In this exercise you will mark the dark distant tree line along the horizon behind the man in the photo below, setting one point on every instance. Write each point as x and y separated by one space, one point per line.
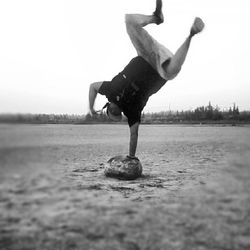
203 114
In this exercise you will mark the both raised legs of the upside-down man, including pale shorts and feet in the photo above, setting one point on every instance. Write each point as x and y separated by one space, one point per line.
163 60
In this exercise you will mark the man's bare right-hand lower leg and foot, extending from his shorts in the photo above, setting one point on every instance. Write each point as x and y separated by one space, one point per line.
173 66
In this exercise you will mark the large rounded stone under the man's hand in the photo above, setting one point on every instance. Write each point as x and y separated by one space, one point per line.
122 167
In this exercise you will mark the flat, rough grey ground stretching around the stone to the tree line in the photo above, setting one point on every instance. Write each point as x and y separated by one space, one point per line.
194 192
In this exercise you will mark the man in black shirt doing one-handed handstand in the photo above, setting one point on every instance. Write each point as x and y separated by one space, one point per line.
129 91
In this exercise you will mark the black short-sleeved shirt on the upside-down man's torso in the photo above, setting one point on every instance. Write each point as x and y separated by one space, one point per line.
132 87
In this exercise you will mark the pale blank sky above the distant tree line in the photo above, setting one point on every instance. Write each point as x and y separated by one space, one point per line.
52 50
